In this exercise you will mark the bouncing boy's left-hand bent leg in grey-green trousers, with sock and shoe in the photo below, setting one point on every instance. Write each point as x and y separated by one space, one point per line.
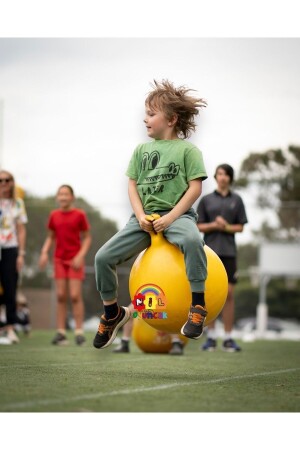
125 244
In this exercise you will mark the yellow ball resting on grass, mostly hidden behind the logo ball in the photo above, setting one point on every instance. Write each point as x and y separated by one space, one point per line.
150 340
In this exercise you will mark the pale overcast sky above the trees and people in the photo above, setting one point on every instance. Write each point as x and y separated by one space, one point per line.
73 108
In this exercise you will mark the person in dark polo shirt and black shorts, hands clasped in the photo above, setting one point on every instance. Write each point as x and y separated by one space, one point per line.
221 214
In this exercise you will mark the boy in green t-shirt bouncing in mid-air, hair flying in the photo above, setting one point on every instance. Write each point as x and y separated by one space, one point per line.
165 177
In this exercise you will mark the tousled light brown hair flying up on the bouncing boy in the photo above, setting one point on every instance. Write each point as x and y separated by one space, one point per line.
171 101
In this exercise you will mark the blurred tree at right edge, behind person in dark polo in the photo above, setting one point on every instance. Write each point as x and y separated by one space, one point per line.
274 177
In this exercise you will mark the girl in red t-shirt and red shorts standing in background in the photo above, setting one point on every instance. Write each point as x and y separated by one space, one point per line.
68 229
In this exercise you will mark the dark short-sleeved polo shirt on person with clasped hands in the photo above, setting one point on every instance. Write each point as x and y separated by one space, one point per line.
232 209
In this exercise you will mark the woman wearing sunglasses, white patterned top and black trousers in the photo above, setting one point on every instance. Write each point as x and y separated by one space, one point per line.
13 218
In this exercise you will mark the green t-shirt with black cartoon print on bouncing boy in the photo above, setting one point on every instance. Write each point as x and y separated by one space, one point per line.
162 170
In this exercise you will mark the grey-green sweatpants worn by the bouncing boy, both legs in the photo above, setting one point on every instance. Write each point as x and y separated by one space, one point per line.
132 240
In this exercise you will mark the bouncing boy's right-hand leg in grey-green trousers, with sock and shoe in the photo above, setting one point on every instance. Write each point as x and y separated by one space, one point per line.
185 235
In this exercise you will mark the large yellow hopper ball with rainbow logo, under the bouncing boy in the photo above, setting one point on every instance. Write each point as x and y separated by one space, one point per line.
158 284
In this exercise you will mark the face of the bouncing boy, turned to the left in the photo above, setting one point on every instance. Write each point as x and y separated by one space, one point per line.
158 126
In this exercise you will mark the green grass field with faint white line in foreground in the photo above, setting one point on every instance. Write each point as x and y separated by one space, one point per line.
39 377
